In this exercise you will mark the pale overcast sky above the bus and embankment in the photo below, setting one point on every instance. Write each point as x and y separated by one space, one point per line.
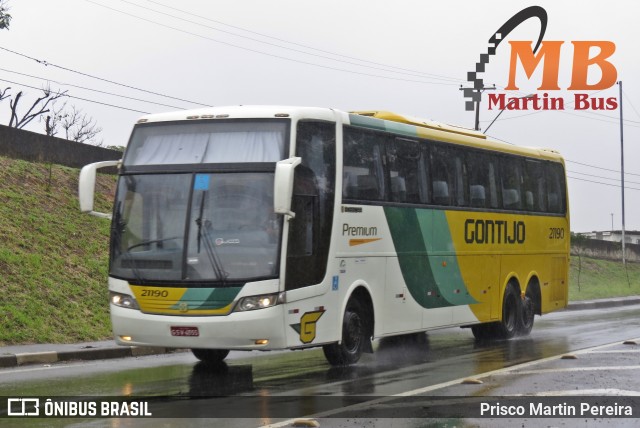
405 56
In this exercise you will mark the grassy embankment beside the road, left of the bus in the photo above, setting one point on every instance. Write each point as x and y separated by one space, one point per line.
53 259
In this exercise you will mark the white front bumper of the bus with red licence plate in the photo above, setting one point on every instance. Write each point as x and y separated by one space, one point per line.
261 329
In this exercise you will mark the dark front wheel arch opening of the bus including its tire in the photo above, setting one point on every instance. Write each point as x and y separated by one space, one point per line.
357 330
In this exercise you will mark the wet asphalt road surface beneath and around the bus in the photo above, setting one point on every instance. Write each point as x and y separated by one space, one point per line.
423 366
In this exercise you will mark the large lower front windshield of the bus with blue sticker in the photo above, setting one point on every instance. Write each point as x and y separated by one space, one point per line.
199 227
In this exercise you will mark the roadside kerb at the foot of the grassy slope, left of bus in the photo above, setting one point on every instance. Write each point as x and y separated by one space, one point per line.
83 354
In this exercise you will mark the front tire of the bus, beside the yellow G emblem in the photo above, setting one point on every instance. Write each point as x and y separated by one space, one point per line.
353 342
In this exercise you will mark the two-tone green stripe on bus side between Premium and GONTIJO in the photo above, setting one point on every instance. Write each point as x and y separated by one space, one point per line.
416 233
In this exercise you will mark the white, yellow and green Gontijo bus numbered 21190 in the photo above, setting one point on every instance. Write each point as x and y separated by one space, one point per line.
269 227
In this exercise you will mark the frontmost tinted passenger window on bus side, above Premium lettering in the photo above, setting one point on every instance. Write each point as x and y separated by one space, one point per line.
363 175
